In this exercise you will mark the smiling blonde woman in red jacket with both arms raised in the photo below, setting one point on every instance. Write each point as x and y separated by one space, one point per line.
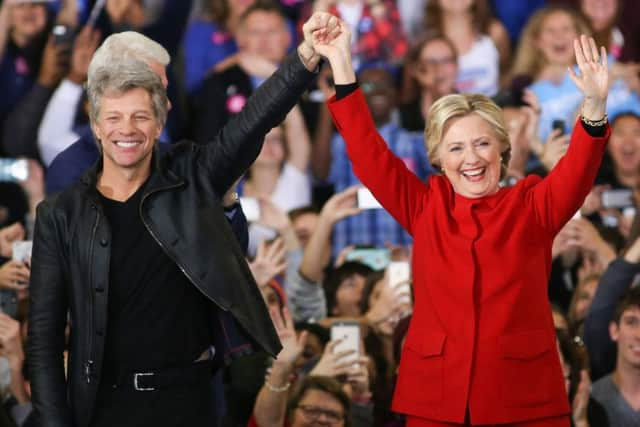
480 348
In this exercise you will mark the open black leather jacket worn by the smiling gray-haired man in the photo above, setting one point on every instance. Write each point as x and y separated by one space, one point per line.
181 209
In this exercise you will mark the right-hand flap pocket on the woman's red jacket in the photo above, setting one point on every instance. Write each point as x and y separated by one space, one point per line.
526 368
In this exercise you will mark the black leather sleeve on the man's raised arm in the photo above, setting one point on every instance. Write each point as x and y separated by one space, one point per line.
240 141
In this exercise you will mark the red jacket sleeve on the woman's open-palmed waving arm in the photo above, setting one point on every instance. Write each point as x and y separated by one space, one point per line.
556 198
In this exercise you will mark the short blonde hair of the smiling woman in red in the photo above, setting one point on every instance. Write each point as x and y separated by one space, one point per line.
460 105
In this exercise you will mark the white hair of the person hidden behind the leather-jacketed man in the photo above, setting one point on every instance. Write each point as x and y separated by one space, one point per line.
127 45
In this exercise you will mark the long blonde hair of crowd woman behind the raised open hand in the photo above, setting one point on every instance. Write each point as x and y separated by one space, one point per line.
529 59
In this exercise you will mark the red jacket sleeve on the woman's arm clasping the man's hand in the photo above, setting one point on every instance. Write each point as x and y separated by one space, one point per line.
397 189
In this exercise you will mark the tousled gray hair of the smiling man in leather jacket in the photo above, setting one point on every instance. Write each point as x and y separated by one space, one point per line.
121 77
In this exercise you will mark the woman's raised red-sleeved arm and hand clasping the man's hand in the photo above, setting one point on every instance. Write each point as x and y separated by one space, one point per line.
393 185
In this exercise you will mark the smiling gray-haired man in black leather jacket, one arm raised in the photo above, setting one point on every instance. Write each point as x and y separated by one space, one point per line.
142 257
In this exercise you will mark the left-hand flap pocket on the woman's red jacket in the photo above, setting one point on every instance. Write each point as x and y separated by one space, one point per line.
420 376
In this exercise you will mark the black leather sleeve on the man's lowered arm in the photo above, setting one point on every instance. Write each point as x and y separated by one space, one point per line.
47 321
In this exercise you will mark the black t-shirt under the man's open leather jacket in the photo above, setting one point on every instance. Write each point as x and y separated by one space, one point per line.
156 317
